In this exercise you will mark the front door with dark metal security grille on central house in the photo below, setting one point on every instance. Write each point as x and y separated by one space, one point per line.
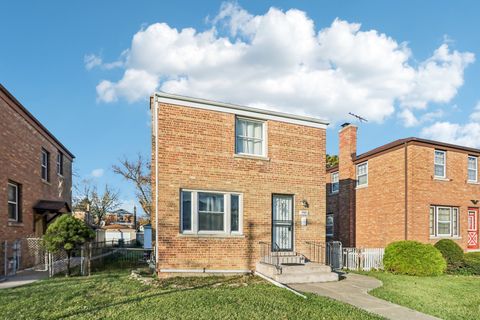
282 222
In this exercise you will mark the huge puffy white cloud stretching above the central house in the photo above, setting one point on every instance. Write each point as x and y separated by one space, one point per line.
278 60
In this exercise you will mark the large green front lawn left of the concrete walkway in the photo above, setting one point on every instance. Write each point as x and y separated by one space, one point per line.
113 295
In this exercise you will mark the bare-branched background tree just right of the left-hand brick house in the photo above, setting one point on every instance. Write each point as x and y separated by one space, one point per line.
98 204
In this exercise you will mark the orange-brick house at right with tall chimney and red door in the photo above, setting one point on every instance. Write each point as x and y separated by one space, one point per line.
411 188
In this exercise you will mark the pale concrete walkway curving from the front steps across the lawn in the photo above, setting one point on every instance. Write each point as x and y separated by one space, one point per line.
354 290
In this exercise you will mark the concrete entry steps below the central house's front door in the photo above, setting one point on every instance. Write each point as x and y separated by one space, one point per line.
297 273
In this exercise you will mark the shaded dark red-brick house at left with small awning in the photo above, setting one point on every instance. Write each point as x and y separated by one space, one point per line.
35 172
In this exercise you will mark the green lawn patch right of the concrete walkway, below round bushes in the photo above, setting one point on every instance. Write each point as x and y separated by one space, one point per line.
447 296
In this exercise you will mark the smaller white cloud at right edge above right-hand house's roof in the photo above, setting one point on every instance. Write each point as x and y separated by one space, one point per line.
467 134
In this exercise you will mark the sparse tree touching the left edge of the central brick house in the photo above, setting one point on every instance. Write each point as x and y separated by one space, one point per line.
137 171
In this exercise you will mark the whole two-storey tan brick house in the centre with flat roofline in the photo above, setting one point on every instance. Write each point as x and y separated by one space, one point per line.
223 172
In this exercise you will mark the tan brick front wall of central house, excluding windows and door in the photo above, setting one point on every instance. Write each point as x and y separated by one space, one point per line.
196 151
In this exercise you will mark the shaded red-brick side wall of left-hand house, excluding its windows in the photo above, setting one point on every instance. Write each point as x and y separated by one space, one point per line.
21 142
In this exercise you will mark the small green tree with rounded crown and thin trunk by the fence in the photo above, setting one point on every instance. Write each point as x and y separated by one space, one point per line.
67 233
